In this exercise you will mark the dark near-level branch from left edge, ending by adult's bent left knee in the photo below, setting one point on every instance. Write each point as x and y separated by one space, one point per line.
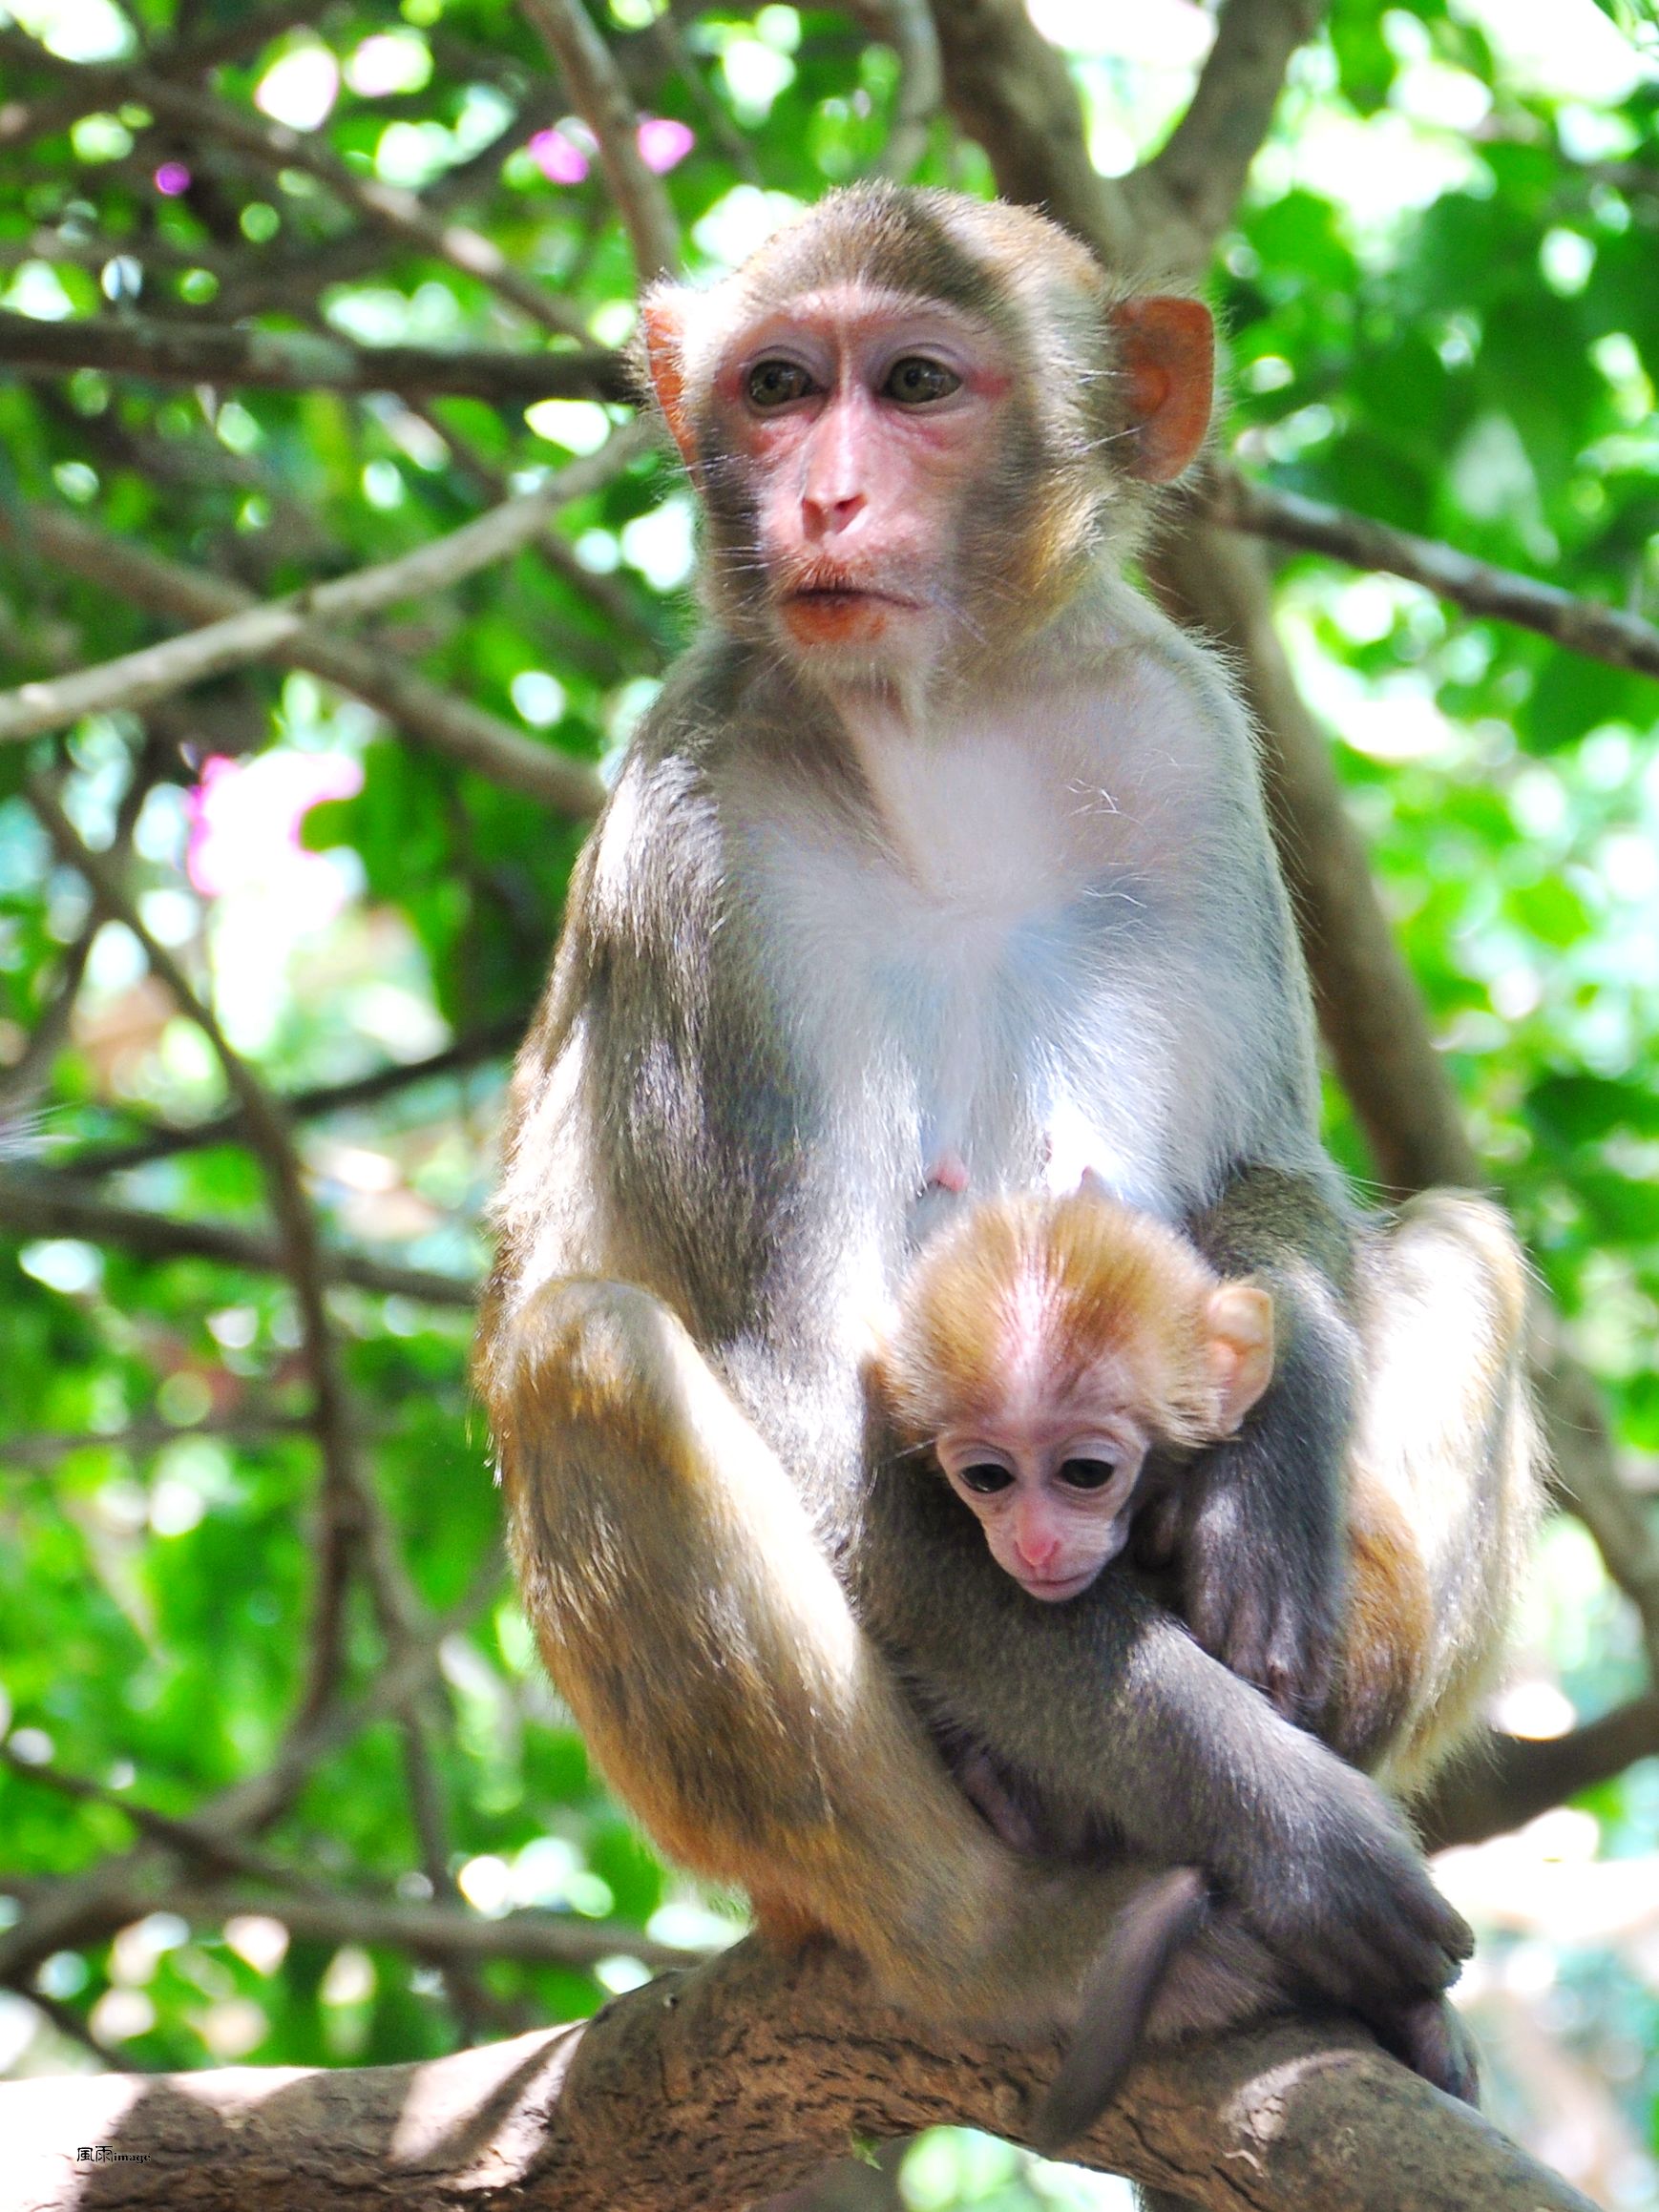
54 1207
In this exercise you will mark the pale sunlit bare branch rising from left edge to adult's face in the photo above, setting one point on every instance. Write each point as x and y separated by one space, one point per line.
273 627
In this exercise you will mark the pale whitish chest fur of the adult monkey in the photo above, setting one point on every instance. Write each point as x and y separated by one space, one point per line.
1021 941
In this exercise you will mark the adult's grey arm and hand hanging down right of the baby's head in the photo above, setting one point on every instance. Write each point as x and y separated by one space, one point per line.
1258 1527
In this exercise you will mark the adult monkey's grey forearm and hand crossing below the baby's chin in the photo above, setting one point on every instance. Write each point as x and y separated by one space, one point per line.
1109 1711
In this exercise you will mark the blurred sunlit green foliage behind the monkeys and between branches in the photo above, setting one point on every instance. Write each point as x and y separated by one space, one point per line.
1443 311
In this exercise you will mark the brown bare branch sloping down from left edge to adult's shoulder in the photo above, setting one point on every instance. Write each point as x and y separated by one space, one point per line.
424 711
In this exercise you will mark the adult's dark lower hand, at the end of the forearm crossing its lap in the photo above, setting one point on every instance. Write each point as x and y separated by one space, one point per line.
1348 1903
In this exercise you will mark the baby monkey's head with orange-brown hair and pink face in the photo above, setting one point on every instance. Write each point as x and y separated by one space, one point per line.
1061 1357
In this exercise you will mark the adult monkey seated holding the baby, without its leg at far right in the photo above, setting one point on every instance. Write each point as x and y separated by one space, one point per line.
941 855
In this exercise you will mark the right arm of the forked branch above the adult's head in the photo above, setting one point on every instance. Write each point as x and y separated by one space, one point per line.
1204 165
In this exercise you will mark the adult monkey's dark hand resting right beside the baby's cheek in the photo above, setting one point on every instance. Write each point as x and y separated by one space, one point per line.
1260 1587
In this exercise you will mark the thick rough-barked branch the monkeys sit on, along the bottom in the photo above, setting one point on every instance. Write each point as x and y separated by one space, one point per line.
731 2083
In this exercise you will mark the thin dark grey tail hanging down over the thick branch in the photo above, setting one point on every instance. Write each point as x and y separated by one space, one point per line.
1158 1921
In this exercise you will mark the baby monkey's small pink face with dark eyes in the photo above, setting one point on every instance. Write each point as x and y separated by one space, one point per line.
1054 1510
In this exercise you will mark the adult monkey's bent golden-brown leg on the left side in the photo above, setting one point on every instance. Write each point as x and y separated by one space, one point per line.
693 1623
